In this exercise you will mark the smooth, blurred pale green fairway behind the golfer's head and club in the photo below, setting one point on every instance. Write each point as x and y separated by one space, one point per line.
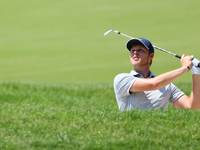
62 41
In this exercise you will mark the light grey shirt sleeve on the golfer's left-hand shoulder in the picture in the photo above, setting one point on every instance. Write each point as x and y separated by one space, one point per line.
122 84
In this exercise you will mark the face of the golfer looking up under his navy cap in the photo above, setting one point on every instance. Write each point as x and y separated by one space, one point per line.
140 56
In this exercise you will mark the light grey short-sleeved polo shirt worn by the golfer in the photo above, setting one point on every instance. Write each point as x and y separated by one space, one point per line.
156 99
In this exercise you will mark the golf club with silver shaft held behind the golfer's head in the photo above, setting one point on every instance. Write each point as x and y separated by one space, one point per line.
177 56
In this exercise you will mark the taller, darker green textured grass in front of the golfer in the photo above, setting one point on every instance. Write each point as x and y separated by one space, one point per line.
86 116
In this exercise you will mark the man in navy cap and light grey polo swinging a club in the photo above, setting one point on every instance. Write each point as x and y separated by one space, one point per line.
142 89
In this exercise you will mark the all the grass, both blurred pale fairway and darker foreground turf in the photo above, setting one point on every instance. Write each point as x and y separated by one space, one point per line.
57 71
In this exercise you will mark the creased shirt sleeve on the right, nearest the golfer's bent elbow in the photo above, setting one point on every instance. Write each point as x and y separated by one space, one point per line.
175 93
